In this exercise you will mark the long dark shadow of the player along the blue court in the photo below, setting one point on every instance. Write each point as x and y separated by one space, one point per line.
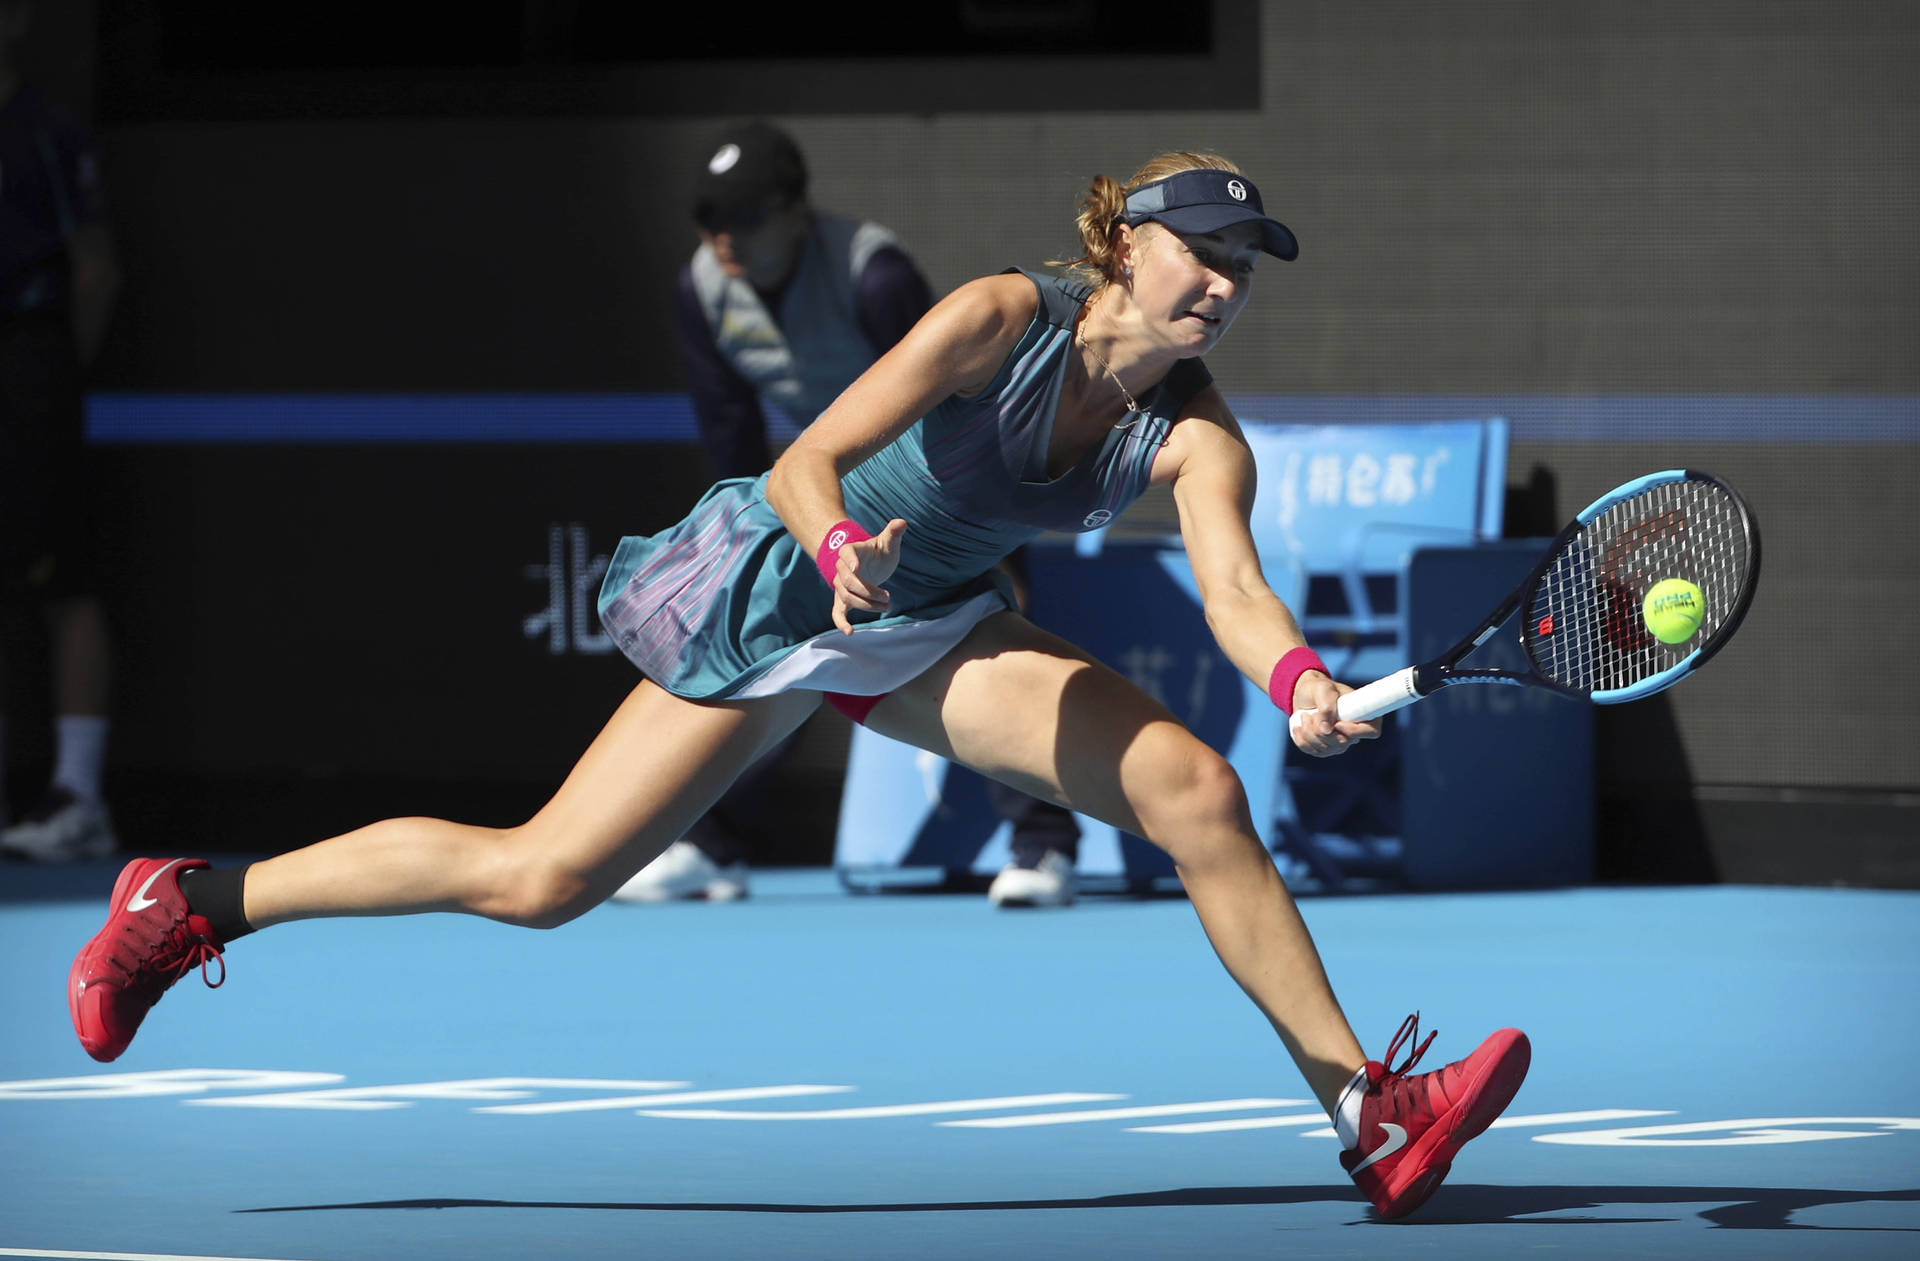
1742 1208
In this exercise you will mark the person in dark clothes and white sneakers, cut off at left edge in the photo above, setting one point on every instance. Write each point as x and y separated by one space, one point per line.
59 283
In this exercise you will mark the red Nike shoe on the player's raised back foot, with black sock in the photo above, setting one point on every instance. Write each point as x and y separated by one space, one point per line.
149 943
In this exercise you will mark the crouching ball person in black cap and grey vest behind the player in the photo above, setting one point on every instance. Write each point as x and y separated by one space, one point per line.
788 304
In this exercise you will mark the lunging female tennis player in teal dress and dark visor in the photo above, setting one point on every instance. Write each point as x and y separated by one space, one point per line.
861 571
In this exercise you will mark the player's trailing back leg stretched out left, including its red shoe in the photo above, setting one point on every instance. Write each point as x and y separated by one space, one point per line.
658 765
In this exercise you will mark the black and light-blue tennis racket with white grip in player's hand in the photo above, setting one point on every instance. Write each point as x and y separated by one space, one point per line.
1581 607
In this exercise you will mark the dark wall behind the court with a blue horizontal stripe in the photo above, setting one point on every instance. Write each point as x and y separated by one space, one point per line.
1650 235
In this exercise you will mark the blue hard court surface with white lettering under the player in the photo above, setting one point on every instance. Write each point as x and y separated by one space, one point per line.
811 1074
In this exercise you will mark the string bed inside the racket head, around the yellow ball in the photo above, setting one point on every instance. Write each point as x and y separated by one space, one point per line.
1587 629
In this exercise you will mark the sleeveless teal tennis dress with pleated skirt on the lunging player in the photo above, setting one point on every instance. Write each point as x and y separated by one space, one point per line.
729 604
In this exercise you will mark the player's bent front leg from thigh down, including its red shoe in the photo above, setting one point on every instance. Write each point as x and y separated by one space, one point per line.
1038 713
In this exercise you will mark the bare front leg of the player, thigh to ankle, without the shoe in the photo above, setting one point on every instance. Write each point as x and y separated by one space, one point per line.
1030 709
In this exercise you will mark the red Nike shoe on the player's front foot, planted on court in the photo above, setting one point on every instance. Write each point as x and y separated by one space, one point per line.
1412 1128
